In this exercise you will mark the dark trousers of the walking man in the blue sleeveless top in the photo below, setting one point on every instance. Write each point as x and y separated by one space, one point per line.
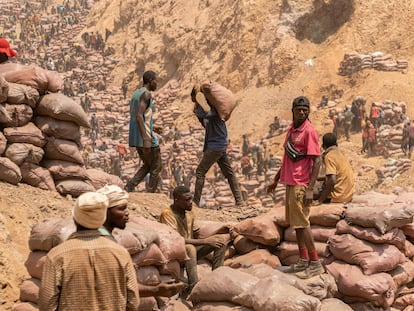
150 164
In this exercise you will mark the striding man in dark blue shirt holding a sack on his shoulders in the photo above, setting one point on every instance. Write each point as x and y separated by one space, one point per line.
215 147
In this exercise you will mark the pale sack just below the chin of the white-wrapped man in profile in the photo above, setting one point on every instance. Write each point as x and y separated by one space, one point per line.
135 238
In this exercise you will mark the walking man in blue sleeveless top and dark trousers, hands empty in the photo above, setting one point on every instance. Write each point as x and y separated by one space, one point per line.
141 134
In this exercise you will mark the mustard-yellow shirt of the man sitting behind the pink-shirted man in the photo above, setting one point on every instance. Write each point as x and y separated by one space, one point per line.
337 164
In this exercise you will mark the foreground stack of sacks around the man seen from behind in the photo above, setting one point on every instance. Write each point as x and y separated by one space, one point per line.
156 250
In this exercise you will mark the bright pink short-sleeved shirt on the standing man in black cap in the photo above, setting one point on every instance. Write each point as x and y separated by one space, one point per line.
305 139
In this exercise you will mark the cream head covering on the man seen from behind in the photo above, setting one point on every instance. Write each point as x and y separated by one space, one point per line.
90 210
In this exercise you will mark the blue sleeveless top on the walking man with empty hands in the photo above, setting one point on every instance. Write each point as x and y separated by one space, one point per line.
135 136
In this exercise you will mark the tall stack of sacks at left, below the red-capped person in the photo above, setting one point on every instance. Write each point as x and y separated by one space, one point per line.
40 137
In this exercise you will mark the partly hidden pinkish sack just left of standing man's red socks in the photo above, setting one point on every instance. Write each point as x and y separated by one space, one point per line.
254 257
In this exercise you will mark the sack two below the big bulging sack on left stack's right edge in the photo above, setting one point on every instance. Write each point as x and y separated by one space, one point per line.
63 149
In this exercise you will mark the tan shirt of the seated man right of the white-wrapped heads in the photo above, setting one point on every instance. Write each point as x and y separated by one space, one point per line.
186 226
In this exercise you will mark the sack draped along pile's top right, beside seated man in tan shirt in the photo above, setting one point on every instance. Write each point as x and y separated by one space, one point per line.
172 243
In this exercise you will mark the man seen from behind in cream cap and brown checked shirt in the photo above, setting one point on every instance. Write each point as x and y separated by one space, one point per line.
89 271
